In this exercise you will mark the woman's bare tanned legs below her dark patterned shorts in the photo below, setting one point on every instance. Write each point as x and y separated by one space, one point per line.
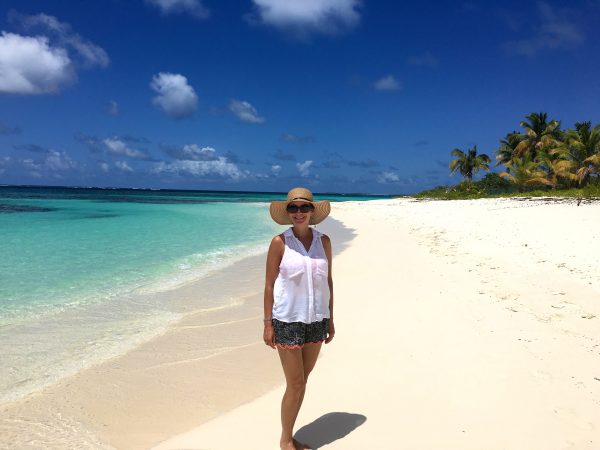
297 365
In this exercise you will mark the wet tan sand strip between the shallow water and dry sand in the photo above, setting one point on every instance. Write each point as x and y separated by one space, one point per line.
121 402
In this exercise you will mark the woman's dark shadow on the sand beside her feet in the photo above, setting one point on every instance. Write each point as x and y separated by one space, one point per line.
329 428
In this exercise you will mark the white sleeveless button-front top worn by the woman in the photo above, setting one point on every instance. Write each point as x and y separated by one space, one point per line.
301 291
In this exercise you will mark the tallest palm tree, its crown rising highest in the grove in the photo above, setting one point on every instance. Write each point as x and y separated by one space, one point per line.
539 135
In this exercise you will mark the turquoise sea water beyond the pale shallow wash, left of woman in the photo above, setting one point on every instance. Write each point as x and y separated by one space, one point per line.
84 249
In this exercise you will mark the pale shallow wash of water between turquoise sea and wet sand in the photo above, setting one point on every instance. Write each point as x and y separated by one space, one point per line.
80 335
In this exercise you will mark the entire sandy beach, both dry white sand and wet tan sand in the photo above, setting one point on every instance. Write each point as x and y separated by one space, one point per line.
460 325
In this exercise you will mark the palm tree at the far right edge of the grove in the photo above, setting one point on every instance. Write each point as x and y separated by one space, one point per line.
583 147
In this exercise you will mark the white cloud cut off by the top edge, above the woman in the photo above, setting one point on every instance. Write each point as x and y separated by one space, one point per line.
306 17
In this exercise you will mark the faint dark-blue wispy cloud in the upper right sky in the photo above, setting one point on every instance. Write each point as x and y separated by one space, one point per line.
554 31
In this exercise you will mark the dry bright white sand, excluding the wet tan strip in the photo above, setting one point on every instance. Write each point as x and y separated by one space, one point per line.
460 325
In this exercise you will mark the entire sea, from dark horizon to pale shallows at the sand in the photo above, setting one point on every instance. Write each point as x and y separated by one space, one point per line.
81 270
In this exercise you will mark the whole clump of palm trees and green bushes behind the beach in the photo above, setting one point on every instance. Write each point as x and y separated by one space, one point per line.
543 160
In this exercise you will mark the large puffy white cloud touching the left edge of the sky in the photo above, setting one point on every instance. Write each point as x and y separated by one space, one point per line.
30 65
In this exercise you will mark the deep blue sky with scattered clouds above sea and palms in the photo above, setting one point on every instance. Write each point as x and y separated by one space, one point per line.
335 95
